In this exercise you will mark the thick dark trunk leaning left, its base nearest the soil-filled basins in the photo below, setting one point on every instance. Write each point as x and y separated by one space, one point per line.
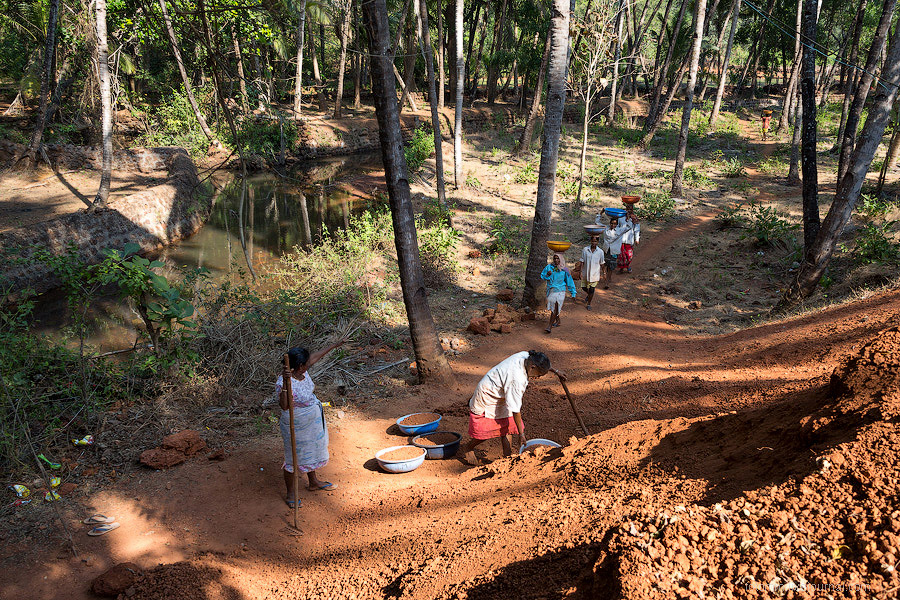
431 363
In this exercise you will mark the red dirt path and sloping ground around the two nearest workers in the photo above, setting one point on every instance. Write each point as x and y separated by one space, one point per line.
683 424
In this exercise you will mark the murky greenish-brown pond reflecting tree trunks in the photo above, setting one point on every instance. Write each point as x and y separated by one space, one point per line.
253 222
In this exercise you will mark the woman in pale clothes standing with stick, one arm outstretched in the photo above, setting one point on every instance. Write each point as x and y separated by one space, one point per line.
311 445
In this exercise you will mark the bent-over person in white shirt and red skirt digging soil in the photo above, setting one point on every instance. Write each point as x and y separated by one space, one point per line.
495 407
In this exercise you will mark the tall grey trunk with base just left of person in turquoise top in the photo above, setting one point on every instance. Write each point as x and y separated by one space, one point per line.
556 99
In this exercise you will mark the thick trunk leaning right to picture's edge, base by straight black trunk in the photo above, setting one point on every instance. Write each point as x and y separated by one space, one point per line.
848 190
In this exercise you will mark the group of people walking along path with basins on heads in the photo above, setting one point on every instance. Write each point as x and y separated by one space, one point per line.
597 263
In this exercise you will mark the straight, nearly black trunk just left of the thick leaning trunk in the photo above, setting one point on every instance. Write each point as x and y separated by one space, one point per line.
811 220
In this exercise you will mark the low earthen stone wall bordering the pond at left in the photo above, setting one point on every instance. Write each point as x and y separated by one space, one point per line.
153 218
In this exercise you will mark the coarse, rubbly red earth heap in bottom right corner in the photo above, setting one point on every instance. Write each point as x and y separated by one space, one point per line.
831 532
